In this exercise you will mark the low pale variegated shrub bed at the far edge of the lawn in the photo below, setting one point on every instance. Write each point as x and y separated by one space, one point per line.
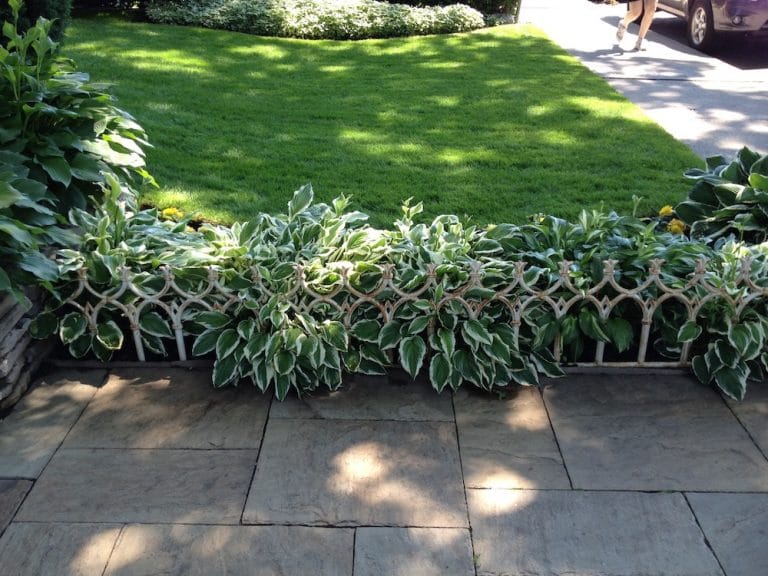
317 19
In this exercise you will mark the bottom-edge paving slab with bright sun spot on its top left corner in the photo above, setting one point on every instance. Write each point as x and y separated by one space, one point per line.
541 533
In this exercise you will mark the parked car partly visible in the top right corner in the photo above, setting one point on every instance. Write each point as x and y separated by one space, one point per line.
708 19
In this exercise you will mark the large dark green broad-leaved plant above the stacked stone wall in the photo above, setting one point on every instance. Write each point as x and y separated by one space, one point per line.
62 141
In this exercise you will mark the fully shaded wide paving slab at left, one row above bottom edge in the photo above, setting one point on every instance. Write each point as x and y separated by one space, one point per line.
182 486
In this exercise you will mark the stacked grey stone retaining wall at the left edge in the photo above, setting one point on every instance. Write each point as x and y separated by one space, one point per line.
20 355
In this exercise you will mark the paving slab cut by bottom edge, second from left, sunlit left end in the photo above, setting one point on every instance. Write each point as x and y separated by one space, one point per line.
148 550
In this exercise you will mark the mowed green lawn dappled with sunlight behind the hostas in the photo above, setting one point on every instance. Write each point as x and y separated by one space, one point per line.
494 125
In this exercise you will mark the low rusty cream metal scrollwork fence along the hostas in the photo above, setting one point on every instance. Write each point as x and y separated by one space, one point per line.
560 296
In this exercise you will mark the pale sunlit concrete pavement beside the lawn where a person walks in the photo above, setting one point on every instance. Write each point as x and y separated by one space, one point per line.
710 105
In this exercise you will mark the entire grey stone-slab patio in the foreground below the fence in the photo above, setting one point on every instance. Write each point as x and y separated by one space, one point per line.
147 471
